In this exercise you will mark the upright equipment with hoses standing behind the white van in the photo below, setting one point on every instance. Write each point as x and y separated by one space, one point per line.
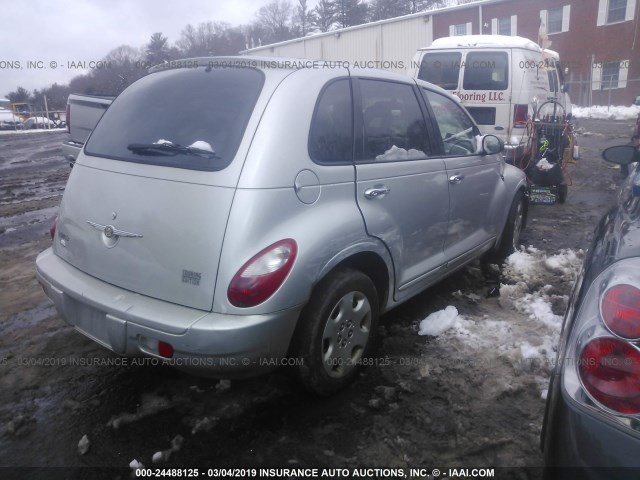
551 146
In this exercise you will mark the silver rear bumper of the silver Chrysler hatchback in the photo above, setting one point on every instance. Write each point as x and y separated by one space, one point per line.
130 324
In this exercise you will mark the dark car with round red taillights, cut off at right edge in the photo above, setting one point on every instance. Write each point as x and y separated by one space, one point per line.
591 427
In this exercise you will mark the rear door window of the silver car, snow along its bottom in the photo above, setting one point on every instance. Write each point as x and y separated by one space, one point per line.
393 125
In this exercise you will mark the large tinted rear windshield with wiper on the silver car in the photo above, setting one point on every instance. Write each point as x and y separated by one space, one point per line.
191 118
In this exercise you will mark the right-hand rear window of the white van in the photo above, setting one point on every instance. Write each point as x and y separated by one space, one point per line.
486 71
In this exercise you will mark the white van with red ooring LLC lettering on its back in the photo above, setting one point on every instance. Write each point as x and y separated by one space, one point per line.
501 80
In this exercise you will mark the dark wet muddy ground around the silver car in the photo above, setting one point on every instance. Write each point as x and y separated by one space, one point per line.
427 403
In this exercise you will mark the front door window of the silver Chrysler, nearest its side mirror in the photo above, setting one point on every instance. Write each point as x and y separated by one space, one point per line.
456 128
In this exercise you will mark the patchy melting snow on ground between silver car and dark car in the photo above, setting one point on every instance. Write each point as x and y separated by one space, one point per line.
524 333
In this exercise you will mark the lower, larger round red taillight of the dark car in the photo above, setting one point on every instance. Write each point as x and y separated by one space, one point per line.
610 371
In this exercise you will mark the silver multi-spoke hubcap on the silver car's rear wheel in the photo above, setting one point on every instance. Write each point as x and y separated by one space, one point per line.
346 334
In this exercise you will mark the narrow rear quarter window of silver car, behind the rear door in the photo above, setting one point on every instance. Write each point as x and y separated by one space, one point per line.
331 135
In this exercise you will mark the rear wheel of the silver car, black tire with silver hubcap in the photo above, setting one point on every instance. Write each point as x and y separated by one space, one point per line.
335 331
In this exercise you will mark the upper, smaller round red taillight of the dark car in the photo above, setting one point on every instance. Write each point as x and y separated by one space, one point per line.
621 311
